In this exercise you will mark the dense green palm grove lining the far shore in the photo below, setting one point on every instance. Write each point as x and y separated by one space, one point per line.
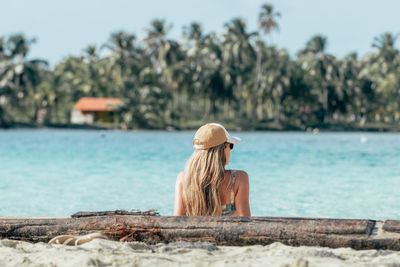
236 77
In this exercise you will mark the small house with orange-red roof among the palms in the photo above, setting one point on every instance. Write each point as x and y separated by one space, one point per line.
89 110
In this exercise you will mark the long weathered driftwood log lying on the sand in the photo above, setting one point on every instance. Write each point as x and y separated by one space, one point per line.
233 231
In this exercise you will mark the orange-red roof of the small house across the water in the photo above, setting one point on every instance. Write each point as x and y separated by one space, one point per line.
96 104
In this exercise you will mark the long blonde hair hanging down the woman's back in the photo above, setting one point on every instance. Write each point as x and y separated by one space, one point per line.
203 176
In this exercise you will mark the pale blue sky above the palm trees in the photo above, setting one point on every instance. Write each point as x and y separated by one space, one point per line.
64 28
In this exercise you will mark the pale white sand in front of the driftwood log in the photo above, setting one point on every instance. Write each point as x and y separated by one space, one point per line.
109 253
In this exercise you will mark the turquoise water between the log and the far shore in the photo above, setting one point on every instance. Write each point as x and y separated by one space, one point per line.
60 172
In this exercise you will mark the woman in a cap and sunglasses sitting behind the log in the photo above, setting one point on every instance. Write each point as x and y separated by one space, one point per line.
205 187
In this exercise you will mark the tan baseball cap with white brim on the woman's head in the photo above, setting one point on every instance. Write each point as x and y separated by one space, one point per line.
211 135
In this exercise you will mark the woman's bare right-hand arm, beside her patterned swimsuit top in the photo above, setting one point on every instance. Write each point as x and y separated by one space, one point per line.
242 196
